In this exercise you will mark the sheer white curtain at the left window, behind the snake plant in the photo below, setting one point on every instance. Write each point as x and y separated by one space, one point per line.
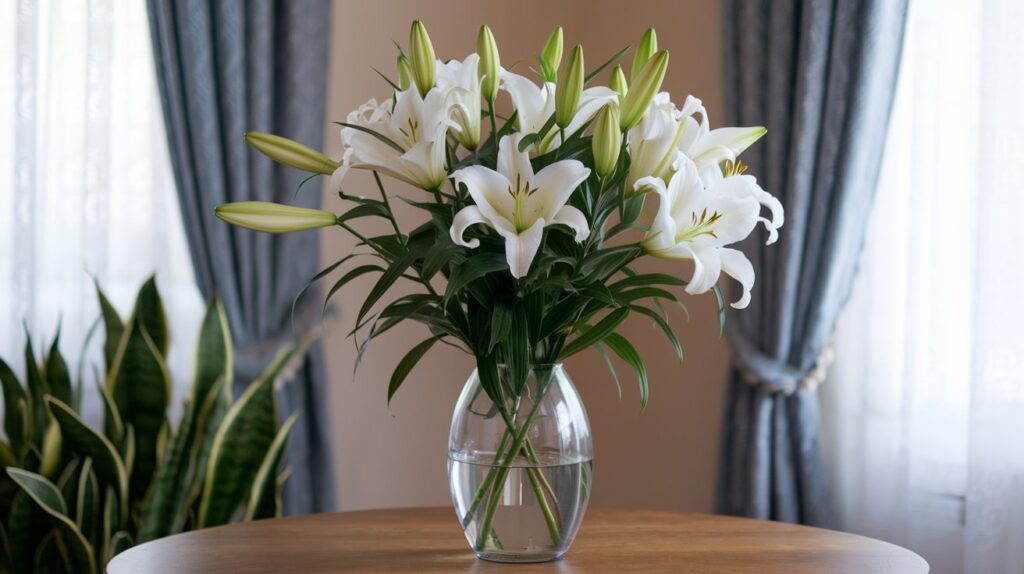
86 182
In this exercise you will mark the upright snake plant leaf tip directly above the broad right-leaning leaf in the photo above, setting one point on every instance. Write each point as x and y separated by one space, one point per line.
215 357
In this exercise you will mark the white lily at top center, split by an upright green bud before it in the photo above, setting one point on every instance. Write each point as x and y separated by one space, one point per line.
535 106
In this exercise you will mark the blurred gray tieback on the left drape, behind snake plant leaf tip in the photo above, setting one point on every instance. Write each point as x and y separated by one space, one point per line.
252 358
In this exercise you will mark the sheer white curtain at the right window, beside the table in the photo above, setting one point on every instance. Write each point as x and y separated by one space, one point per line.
924 411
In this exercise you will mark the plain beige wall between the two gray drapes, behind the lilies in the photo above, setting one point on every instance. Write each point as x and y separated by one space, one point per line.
665 458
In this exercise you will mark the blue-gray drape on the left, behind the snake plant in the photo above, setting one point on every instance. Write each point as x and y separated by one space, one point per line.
228 67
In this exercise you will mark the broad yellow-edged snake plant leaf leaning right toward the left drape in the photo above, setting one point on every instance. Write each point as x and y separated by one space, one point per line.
239 448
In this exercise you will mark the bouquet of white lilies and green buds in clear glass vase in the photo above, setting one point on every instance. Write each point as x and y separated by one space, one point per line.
532 224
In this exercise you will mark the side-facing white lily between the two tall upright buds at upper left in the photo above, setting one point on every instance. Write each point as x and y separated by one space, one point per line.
461 81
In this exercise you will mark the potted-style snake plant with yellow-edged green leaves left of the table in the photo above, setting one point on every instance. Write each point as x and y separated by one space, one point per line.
73 497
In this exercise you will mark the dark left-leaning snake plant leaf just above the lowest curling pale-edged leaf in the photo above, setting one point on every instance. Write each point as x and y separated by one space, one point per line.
88 444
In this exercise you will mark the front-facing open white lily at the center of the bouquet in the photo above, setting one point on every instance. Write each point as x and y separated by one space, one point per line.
519 204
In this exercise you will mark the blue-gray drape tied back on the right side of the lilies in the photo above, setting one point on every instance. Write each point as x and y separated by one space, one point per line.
821 76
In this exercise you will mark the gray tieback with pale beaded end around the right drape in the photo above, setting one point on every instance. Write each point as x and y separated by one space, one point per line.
774 376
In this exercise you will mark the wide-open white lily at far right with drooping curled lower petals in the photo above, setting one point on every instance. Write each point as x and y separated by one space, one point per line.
696 224
